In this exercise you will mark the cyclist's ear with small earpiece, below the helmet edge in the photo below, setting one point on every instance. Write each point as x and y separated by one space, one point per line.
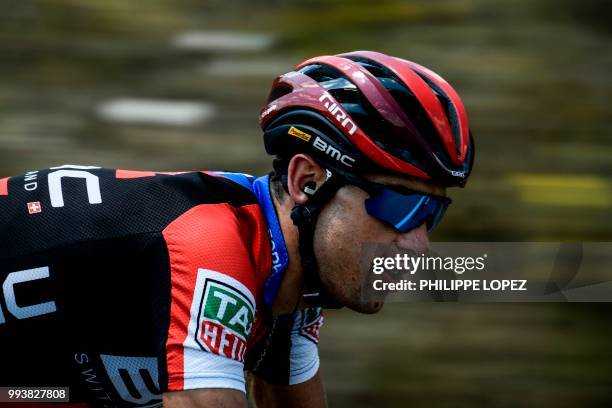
303 176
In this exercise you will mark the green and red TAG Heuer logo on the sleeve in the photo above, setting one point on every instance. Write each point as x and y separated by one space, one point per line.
225 317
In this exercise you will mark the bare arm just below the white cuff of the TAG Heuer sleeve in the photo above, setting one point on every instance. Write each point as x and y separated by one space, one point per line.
222 398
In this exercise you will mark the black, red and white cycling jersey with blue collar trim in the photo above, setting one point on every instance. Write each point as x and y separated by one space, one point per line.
125 284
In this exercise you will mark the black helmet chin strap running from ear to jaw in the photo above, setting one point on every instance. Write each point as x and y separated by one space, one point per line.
305 218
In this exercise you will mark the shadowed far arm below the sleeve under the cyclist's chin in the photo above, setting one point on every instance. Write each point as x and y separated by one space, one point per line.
309 394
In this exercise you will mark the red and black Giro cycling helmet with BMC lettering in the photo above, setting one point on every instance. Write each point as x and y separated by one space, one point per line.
365 111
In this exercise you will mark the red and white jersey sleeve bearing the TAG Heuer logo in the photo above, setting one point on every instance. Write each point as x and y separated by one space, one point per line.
214 286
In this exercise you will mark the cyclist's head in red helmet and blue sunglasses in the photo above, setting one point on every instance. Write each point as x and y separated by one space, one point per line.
371 121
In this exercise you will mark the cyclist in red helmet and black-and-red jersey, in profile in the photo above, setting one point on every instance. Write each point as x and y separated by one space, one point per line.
126 285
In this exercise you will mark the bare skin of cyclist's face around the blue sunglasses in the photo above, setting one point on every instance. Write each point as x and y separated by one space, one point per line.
342 228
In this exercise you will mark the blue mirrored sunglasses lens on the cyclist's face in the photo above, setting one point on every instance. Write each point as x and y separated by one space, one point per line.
407 211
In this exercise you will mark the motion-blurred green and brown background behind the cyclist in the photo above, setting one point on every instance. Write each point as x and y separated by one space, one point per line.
178 84
